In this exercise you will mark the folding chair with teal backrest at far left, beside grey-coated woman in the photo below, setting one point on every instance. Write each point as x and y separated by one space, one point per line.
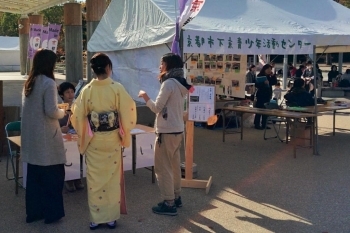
12 127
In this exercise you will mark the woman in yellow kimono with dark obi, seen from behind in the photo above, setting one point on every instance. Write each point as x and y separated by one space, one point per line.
103 115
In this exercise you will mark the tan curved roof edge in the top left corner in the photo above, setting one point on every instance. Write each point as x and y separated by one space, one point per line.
27 6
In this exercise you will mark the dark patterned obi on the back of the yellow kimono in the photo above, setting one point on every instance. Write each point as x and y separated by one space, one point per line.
106 121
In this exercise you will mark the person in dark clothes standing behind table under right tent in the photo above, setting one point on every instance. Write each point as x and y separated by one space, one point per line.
263 94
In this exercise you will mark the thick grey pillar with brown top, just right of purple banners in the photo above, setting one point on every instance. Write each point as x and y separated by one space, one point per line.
73 42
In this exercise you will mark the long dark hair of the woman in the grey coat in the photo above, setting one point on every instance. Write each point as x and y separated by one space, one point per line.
43 64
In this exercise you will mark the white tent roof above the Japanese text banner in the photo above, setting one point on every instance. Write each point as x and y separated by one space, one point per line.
327 21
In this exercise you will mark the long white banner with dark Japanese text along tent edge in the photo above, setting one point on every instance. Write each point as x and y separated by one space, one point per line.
227 43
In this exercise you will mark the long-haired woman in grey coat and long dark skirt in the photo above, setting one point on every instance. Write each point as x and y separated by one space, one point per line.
42 142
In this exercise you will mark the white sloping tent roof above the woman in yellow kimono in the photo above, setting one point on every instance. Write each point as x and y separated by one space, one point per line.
129 24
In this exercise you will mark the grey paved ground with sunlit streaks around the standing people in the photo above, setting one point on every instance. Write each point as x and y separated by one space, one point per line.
257 187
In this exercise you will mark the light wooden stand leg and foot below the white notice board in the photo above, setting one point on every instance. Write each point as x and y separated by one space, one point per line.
188 182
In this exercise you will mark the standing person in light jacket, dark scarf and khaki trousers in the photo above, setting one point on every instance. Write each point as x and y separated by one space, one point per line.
169 125
